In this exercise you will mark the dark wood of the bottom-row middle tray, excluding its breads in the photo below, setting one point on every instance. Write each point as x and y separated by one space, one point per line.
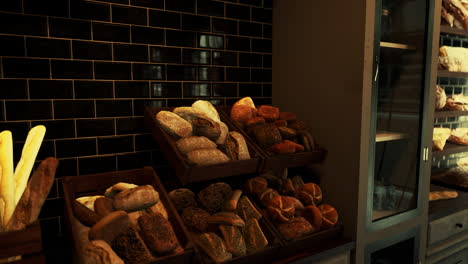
266 255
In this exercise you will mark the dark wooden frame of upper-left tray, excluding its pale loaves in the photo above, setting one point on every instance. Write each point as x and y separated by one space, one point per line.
191 173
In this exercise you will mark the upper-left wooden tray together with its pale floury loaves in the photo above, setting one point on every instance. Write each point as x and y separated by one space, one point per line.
200 144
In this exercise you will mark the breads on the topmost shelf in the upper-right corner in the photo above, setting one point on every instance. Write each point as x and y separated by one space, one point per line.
455 13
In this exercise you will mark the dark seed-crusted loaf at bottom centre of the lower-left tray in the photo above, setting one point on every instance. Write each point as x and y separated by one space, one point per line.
130 247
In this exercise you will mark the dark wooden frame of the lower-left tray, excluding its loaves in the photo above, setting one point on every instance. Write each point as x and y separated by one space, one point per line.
96 184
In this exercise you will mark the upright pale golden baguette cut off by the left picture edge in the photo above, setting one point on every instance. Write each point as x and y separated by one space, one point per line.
7 180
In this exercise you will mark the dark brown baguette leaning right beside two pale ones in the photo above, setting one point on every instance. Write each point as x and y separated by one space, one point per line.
29 207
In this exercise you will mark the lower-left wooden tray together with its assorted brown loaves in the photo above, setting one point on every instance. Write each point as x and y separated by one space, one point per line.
123 217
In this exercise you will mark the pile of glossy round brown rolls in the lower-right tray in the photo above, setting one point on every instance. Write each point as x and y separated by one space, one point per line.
294 206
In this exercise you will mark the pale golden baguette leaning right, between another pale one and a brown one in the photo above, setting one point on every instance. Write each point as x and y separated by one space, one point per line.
28 157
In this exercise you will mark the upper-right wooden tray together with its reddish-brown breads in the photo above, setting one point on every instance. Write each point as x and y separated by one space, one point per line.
282 139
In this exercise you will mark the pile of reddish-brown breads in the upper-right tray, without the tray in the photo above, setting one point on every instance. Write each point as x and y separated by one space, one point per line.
275 131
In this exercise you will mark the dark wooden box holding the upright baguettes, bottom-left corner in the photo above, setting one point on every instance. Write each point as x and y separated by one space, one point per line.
26 243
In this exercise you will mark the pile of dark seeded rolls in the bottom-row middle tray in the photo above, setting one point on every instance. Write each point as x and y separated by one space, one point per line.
223 222
